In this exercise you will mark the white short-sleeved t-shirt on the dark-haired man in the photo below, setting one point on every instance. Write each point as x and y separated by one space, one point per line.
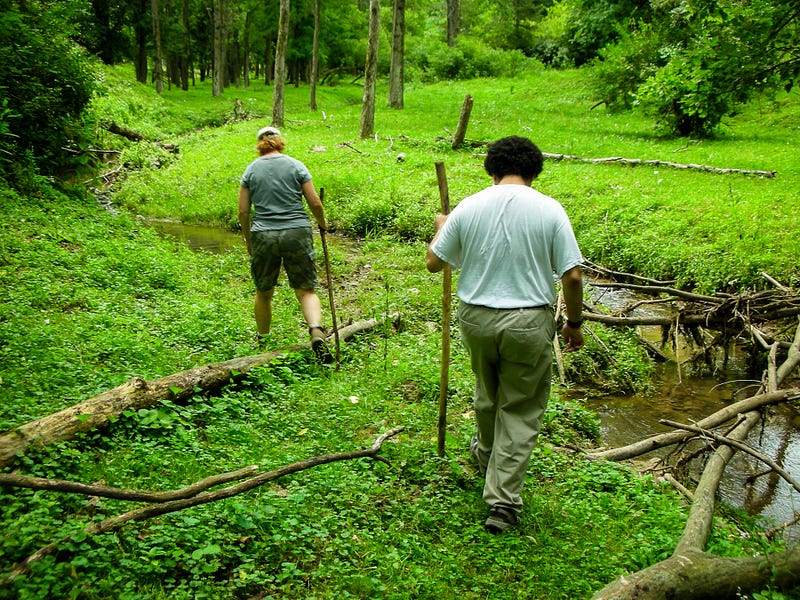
508 240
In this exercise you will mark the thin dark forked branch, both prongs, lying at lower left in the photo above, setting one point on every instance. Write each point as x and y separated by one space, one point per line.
194 495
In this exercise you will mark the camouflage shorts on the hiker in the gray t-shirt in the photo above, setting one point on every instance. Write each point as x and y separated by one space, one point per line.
294 248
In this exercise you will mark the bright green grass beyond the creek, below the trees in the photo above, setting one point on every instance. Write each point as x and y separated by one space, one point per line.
706 230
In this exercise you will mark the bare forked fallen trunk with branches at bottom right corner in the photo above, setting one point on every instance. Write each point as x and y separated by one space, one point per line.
690 573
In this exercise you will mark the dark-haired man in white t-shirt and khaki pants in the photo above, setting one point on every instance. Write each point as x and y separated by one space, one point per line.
508 240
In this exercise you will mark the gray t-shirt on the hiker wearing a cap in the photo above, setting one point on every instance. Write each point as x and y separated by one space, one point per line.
275 184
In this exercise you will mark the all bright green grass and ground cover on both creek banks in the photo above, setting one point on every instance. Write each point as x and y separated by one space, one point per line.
92 297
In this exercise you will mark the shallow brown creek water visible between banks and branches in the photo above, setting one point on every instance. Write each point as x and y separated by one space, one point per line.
678 395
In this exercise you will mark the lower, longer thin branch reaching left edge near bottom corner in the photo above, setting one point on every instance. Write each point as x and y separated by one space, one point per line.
200 496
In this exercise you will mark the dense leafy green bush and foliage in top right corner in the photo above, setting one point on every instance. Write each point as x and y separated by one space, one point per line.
690 64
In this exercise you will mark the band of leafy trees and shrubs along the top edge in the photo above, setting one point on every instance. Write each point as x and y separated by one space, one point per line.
687 63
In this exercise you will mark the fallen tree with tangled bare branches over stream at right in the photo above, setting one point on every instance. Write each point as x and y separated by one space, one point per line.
690 573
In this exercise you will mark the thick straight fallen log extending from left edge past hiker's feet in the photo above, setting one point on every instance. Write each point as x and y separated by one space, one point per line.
138 393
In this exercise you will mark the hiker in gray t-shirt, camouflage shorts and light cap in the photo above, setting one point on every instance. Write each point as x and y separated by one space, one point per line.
277 231
